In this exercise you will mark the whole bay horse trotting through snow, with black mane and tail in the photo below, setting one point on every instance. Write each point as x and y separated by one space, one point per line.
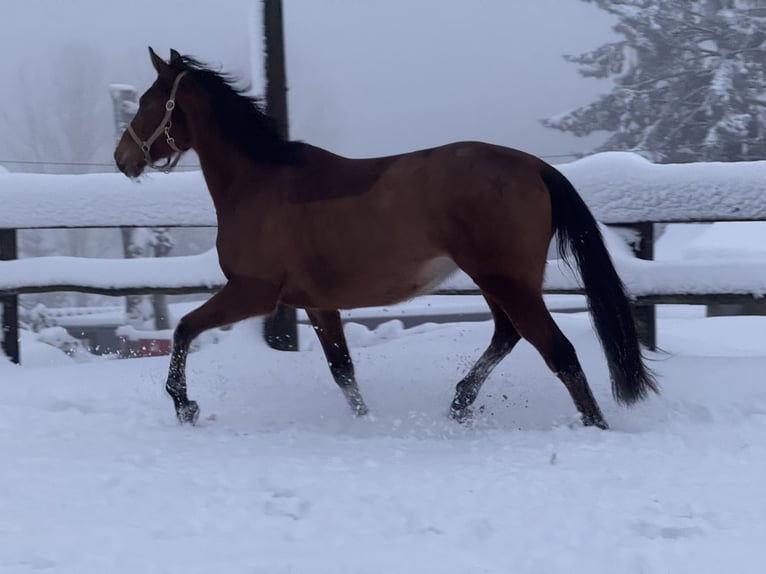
302 226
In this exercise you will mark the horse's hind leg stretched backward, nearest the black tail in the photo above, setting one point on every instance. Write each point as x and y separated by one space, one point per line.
526 309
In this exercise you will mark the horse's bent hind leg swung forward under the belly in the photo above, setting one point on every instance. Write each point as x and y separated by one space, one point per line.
504 339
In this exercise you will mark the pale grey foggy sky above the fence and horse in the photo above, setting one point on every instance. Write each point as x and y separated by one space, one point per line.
367 77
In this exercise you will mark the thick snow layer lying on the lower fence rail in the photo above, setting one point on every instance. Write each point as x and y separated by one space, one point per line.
734 274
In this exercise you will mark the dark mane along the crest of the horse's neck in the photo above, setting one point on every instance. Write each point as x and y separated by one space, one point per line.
241 117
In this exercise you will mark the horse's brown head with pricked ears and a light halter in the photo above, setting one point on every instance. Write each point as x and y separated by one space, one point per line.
158 131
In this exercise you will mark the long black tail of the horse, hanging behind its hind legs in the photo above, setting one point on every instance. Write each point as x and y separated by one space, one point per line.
578 232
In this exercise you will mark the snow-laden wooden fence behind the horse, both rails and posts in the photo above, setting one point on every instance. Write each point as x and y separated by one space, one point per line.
624 191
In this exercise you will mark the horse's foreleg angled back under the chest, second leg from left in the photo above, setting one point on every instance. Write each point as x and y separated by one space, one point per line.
329 330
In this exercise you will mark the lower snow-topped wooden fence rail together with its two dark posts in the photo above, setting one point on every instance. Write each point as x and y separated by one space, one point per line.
685 282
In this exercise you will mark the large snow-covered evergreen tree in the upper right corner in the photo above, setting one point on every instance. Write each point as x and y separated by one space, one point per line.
689 81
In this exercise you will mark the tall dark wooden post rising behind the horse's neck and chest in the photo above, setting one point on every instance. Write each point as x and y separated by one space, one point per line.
280 329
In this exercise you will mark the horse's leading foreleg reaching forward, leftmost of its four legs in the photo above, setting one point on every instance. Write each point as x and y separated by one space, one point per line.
236 301
